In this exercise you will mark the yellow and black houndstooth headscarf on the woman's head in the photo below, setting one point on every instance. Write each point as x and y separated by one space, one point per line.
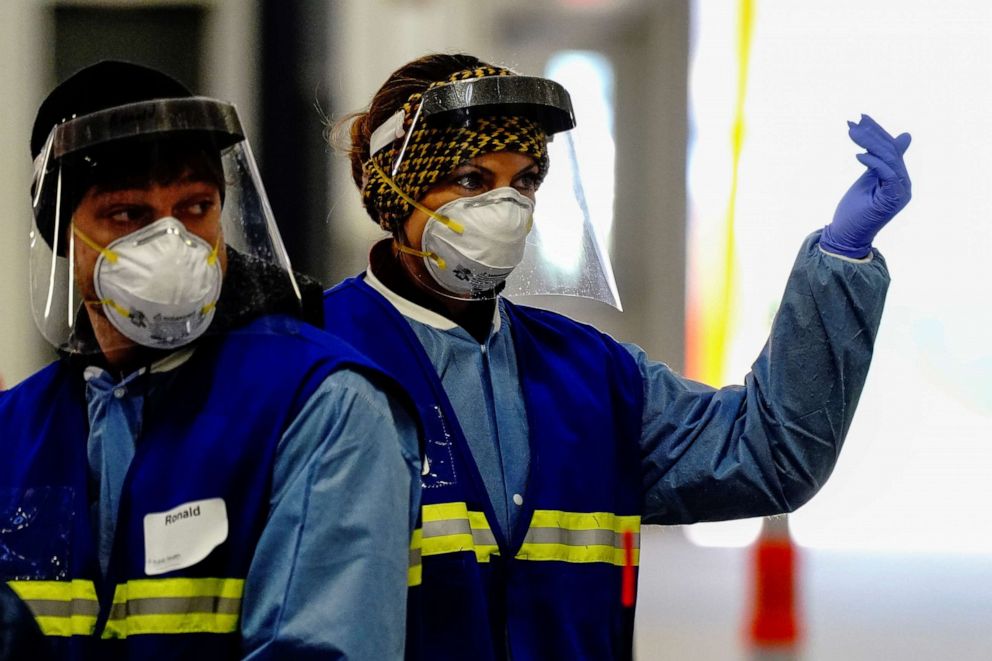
434 152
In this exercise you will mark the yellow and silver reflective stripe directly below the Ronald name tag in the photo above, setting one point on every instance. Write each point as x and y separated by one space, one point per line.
175 605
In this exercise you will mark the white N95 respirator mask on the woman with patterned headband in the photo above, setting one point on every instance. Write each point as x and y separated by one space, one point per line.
470 245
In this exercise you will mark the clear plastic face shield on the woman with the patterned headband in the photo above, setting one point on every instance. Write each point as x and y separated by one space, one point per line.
540 241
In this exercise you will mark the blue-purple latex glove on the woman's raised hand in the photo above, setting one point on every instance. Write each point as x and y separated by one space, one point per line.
876 197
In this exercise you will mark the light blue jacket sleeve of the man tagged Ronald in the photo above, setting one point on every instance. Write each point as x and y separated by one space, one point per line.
329 576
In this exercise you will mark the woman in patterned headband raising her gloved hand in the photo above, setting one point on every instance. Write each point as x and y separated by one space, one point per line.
548 444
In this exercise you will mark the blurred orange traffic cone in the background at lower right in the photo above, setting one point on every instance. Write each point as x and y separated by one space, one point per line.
773 633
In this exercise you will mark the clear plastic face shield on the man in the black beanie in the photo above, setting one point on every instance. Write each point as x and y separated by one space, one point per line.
143 213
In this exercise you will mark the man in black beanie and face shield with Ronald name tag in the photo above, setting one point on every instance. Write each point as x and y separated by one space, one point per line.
182 481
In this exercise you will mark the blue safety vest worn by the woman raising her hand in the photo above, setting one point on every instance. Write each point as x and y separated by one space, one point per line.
552 590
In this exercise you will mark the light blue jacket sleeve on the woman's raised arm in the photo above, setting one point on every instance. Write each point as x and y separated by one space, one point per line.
768 446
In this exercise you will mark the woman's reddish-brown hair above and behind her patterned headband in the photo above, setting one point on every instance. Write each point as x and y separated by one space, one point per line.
413 77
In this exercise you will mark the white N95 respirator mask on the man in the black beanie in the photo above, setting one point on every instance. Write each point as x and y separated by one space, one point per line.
158 285
